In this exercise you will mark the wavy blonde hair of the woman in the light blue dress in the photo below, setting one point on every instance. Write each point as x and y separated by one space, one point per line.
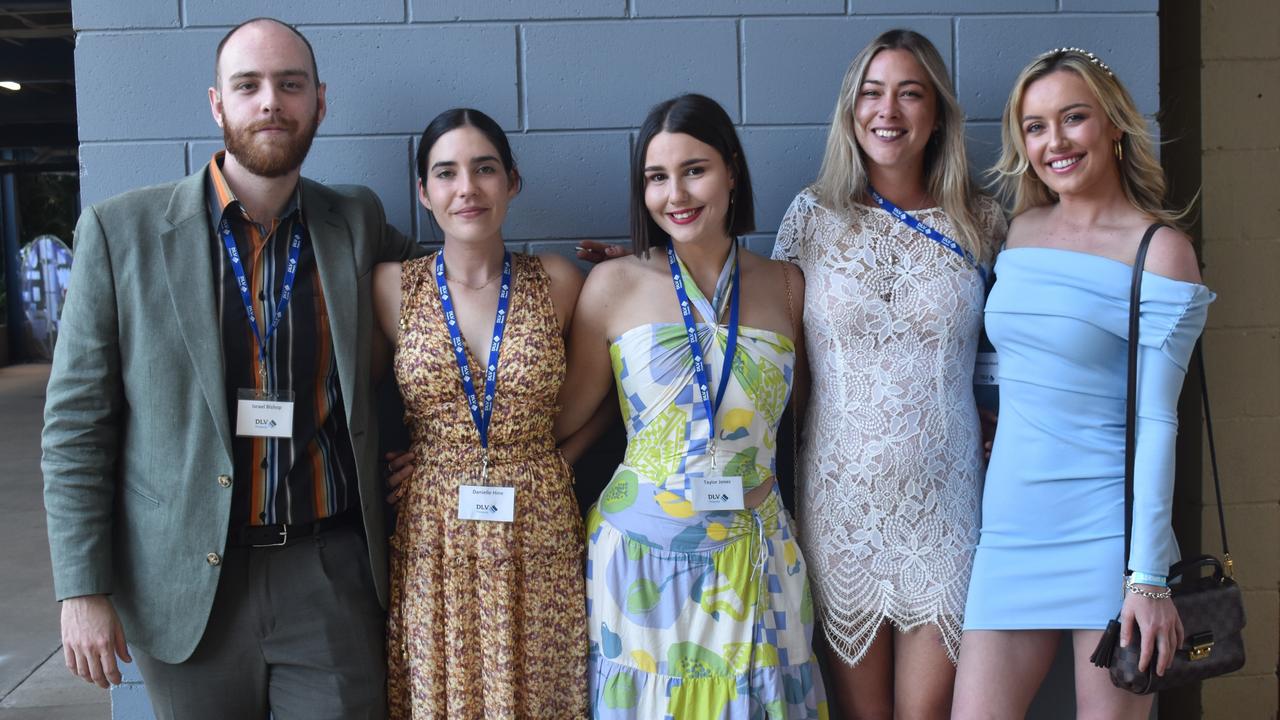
1141 175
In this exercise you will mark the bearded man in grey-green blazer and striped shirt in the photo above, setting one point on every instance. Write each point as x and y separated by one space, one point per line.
209 446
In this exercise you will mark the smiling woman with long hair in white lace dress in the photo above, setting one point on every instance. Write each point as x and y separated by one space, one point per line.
890 473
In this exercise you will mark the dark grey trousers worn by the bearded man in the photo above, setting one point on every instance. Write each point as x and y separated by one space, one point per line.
296 632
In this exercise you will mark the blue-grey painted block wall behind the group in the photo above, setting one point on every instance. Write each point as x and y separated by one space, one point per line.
570 80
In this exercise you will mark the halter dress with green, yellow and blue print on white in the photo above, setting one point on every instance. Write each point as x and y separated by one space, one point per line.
698 616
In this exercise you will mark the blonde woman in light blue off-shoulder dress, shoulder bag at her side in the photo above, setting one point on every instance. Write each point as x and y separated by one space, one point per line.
1086 186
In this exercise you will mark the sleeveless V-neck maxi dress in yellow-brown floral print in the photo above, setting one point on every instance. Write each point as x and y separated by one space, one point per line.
487 619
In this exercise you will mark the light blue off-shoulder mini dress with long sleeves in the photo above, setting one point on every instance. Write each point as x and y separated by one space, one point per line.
1052 550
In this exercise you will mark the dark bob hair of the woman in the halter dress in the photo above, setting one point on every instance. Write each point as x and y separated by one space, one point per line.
703 120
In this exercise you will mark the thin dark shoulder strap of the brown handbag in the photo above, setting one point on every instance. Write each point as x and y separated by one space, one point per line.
1132 411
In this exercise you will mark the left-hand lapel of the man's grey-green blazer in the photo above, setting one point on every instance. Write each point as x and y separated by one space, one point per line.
190 271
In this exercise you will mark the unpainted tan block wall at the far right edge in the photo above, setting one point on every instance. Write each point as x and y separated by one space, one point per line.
1241 160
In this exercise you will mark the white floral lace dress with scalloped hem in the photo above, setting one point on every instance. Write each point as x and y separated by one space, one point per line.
890 471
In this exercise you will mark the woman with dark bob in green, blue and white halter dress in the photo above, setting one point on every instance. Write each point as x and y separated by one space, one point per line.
693 614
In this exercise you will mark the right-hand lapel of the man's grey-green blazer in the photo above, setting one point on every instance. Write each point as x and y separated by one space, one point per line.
331 241
